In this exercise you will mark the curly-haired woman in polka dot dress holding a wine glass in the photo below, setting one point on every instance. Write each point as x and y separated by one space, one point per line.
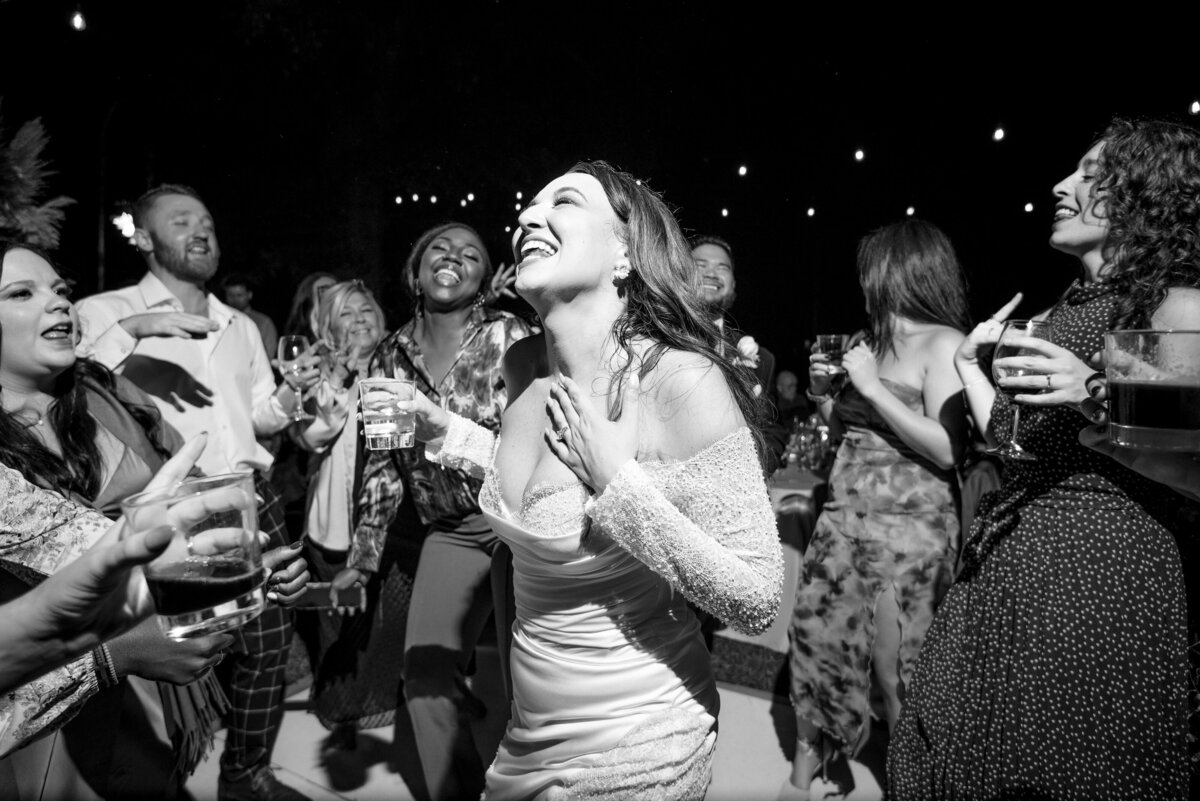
1058 665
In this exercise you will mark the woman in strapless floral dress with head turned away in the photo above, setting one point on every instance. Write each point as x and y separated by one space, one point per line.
884 549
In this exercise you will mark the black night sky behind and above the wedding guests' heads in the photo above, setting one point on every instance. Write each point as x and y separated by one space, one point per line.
302 121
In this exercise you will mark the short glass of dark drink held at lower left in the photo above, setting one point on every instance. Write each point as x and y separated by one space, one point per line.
211 577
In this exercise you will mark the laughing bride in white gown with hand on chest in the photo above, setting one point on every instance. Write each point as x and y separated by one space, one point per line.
628 483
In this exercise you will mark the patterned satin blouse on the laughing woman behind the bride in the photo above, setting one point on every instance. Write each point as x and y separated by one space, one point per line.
473 389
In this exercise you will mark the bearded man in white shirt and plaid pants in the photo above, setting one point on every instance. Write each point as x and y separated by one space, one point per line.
207 370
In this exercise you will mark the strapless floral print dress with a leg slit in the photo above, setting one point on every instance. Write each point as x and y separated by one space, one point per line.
891 521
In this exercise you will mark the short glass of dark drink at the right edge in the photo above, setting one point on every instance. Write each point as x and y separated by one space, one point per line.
1154 382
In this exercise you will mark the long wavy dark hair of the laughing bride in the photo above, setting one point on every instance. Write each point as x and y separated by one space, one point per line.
663 300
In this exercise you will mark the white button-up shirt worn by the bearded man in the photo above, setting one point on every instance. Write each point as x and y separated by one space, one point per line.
221 384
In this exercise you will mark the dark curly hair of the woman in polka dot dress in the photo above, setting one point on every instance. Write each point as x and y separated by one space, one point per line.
1150 178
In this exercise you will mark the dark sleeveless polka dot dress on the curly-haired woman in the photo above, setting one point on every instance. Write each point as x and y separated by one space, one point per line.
1057 667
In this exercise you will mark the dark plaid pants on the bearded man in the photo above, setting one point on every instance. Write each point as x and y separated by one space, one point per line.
257 665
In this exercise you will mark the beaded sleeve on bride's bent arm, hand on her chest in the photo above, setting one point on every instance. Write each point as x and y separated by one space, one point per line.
706 526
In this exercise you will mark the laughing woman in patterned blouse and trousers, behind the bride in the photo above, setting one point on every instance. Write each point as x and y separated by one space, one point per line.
452 351
